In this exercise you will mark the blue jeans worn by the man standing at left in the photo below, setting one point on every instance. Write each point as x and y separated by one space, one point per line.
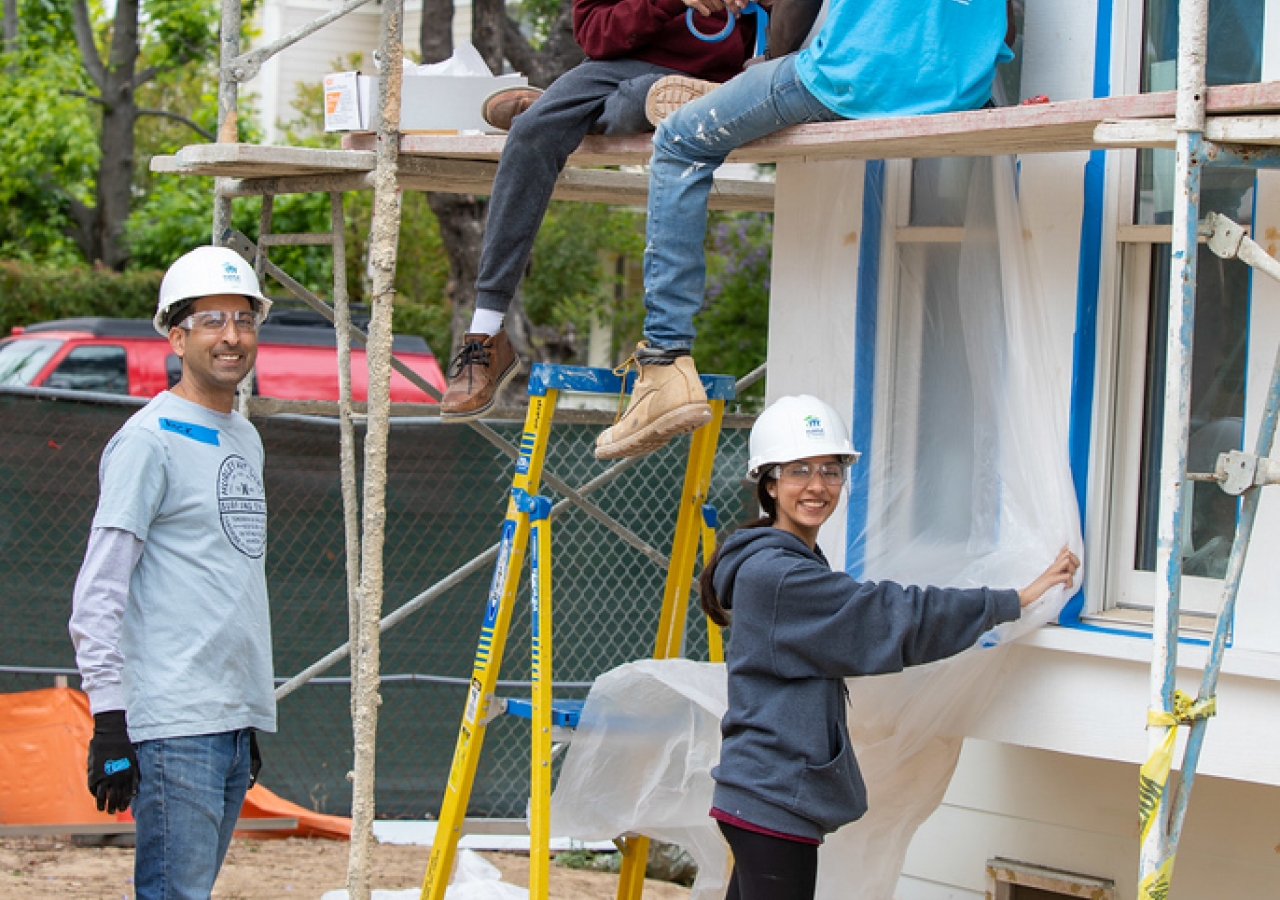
189 800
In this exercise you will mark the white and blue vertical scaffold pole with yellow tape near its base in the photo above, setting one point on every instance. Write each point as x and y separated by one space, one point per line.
1158 847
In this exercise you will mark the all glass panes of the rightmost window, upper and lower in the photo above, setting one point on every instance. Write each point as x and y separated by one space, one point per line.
1222 295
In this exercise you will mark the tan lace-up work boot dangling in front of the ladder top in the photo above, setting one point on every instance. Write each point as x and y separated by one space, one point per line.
668 400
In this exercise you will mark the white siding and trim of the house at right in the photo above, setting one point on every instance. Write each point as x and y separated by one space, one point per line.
1050 773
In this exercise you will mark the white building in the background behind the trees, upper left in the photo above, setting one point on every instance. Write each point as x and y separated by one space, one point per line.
309 61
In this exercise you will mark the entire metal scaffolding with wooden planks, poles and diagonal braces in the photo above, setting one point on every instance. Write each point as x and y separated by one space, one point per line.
1054 127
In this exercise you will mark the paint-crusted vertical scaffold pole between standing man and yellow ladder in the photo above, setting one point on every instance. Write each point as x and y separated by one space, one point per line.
385 235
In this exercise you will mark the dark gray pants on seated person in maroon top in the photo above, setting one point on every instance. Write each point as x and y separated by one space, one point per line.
595 98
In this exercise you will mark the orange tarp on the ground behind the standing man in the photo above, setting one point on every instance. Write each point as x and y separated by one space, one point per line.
44 747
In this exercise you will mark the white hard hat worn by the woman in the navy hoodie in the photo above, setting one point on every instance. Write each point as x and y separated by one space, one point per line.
798 428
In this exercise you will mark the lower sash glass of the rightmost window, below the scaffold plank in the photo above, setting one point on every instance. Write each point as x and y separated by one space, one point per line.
1218 408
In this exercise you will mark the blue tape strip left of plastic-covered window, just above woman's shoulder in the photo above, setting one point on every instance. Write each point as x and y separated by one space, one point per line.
865 366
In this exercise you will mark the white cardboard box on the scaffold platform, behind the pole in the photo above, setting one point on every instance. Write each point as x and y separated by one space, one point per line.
437 104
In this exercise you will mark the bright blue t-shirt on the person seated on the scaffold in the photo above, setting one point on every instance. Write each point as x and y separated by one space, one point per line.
883 58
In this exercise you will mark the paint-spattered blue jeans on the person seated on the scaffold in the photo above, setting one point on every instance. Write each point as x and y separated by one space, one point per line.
688 149
